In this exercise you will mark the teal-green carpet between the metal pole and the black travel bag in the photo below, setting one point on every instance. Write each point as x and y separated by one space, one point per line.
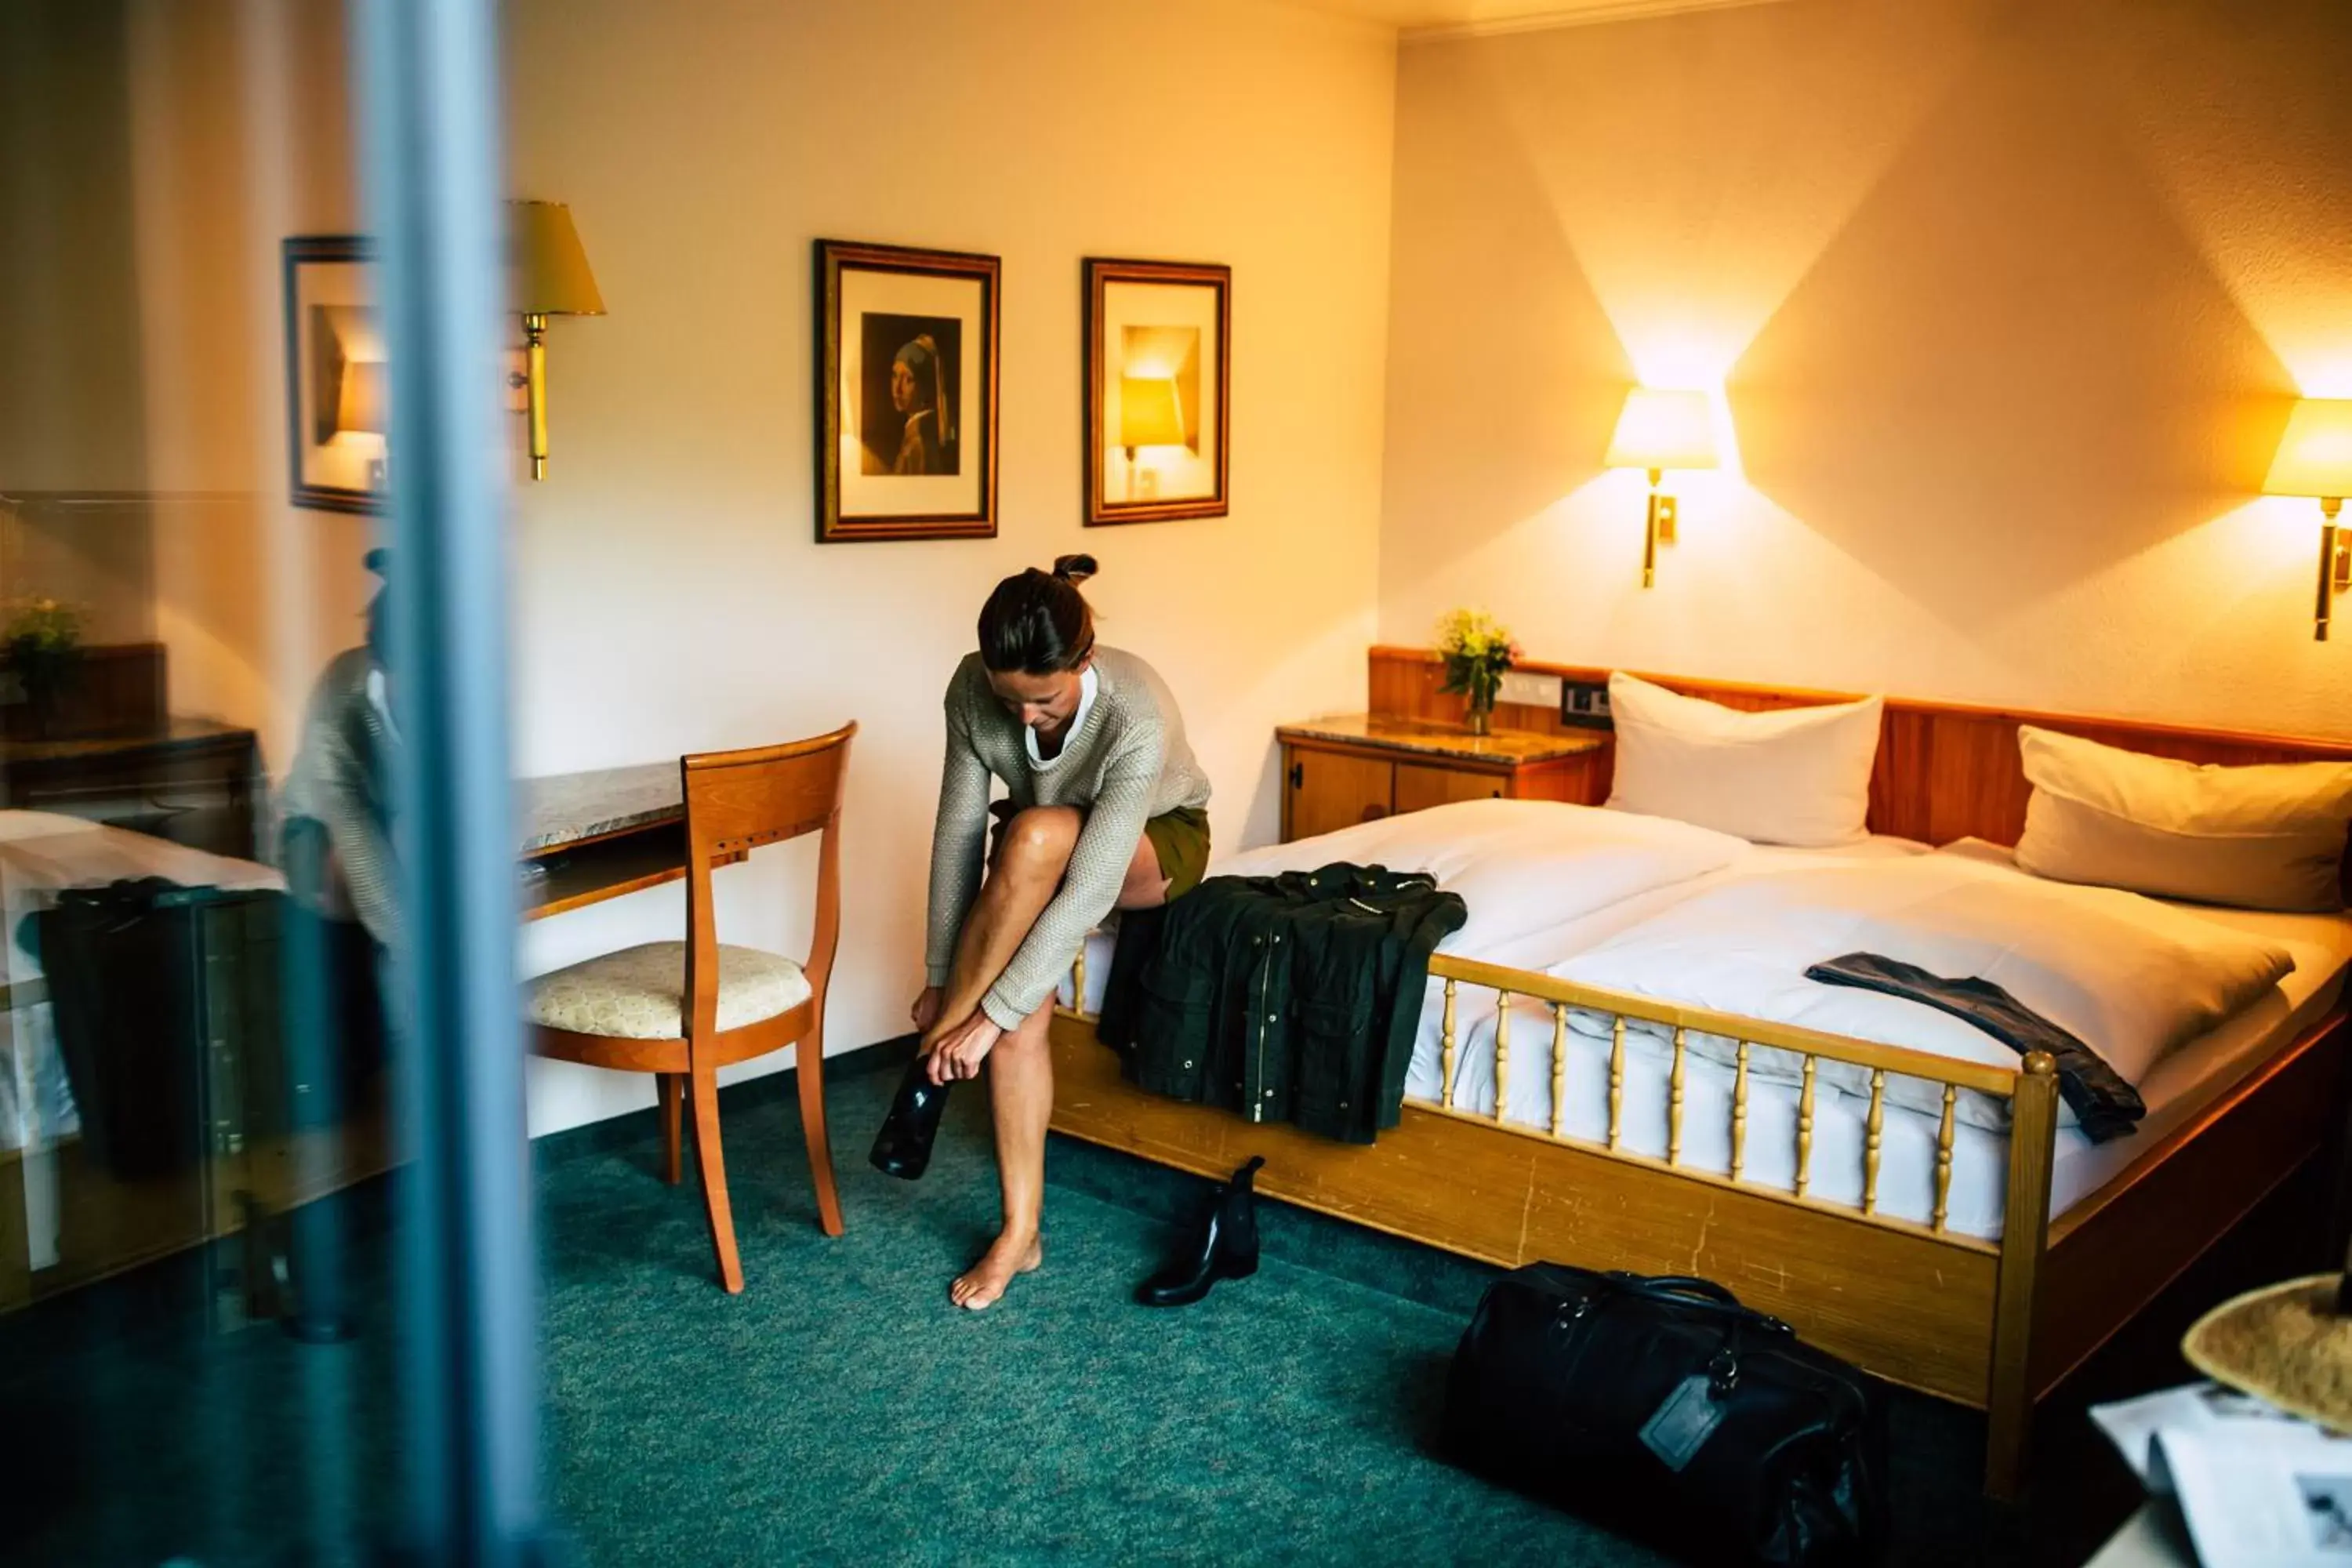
843 1412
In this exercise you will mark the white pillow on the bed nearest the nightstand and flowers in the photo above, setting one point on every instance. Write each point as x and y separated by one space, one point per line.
1779 777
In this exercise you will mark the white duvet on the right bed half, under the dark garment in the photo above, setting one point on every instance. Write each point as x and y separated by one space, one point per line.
2130 977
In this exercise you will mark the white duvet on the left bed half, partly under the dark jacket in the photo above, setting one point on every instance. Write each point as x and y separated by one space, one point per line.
1518 864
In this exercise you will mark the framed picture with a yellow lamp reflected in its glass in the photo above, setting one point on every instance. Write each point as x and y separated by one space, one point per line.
1158 389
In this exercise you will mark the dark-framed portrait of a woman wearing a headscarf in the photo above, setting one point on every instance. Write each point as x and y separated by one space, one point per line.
907 394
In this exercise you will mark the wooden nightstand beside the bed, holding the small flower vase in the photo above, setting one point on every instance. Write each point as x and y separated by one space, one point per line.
1363 768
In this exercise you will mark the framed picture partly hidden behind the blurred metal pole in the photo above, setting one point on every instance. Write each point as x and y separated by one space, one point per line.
338 398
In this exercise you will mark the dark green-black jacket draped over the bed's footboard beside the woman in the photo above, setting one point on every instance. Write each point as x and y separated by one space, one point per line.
1281 998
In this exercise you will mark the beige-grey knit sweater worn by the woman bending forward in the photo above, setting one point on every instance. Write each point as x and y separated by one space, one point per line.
1125 763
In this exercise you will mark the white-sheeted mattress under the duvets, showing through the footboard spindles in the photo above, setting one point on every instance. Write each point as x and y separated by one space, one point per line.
2174 1092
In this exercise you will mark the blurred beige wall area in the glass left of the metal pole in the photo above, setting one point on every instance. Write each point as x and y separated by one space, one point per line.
156 156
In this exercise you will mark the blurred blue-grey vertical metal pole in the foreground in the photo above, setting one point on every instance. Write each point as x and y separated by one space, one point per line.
429 130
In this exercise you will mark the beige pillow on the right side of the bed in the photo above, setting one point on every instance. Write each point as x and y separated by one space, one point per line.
2261 838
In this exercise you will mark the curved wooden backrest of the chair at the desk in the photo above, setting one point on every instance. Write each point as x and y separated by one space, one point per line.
744 800
